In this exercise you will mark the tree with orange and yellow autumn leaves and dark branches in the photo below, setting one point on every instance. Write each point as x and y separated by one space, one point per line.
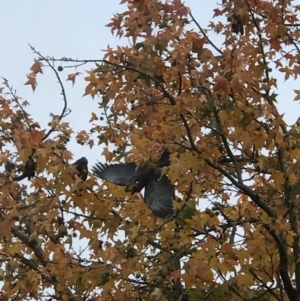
234 164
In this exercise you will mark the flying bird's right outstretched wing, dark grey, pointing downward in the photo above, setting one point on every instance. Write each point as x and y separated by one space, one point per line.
158 196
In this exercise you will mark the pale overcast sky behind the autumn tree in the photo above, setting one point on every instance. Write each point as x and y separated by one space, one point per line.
76 29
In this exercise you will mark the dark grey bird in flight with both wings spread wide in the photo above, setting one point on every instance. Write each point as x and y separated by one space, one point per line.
158 189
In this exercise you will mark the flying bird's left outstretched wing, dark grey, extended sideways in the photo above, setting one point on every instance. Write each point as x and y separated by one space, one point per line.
120 174
